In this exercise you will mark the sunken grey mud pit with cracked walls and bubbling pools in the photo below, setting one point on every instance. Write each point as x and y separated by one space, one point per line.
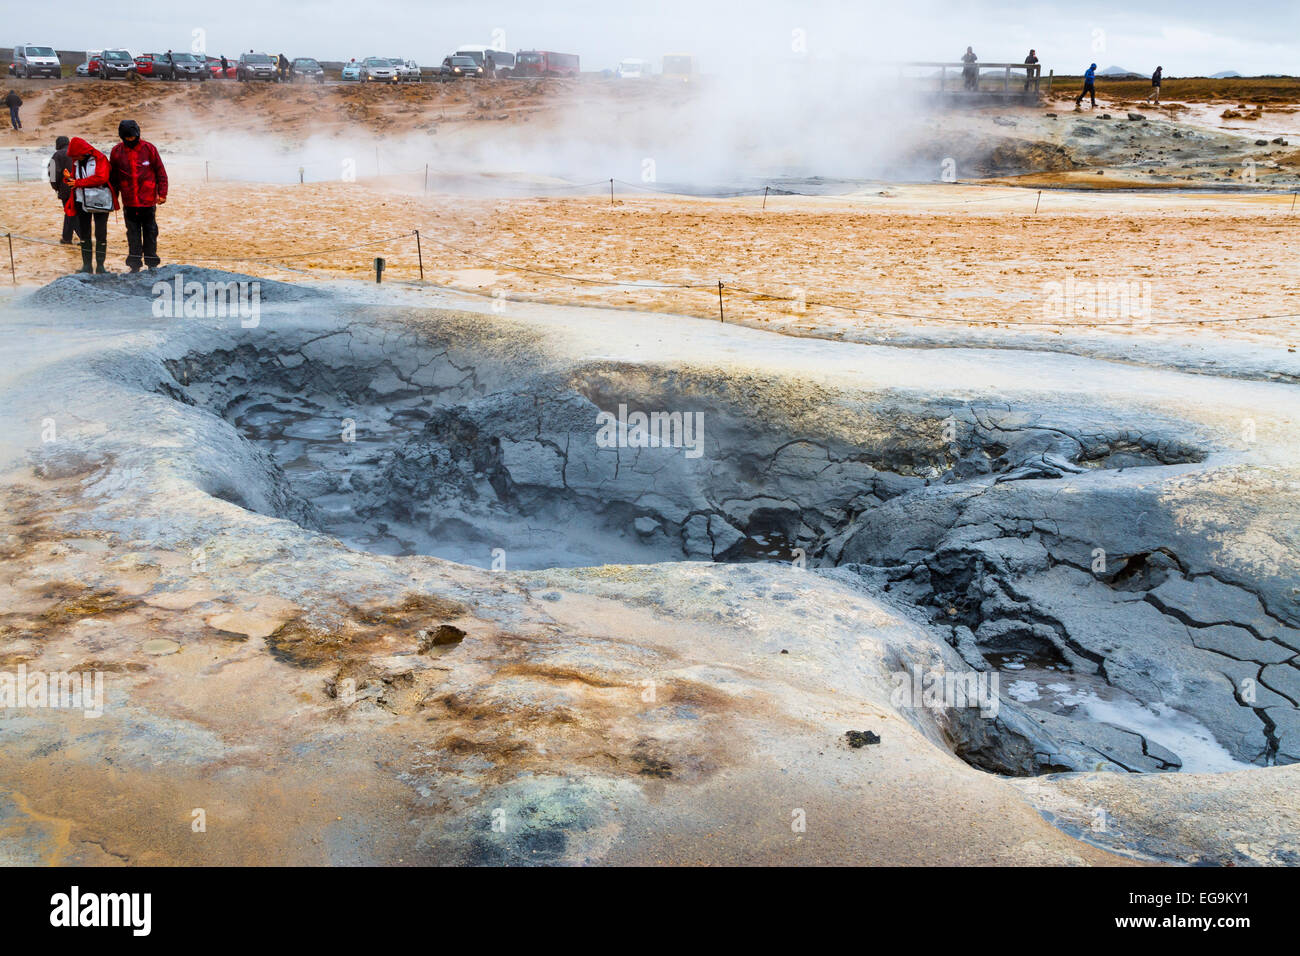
1032 535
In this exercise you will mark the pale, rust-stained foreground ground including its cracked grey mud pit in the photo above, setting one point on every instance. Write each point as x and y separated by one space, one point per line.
242 527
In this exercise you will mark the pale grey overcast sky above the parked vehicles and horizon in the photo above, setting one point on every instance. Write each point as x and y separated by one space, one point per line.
1186 37
